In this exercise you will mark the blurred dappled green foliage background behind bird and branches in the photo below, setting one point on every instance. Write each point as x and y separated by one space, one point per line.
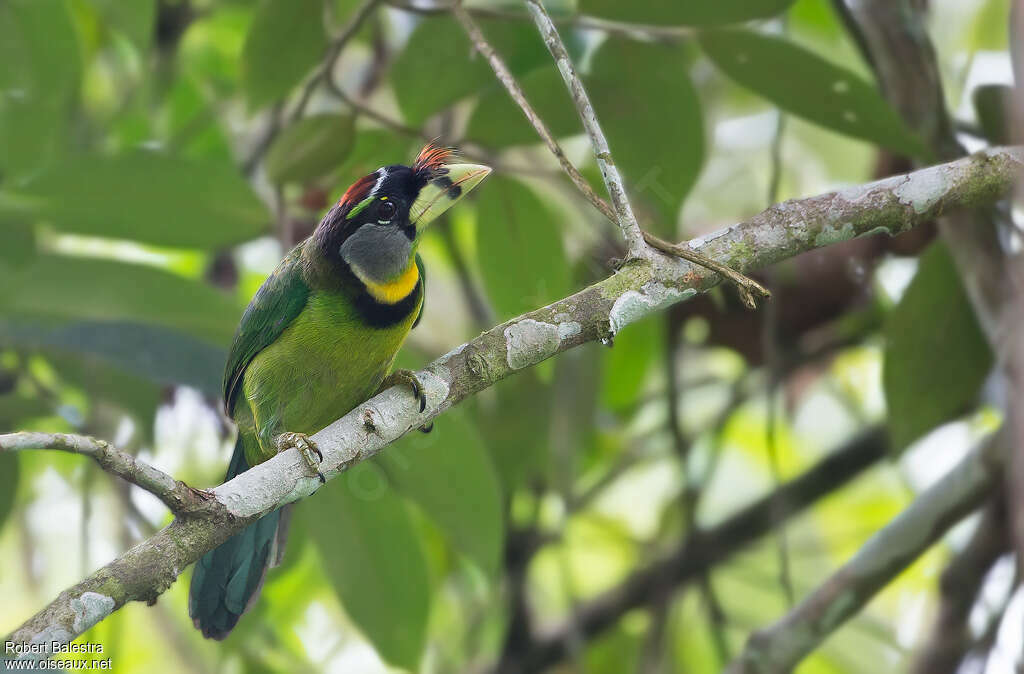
157 158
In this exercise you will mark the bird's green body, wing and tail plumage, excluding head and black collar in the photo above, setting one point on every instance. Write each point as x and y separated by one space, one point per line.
304 356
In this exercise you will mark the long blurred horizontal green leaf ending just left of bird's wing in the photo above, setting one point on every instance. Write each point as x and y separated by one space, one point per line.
59 287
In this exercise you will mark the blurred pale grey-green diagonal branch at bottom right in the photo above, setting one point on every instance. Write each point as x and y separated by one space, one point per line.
778 650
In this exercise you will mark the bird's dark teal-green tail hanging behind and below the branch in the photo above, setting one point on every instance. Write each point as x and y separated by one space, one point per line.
228 579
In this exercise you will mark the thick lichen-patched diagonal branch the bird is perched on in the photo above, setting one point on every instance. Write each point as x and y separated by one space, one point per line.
596 313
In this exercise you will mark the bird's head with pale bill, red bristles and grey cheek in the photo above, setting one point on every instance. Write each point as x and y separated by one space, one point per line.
376 227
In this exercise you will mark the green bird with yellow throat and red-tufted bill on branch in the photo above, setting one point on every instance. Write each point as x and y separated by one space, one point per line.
320 338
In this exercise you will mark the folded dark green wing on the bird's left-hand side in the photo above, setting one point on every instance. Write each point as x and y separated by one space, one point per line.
279 302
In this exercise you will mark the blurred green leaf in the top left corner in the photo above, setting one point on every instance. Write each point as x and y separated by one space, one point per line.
39 76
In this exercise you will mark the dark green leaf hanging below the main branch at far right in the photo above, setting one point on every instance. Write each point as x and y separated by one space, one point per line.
936 357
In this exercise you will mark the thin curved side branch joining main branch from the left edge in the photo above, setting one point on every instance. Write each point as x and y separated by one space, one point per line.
178 496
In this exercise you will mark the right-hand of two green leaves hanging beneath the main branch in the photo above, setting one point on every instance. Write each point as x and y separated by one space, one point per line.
450 474
